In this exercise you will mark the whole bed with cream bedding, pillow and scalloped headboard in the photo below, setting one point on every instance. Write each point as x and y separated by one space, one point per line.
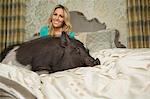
123 74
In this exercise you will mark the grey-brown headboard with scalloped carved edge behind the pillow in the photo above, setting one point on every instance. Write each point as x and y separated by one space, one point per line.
81 24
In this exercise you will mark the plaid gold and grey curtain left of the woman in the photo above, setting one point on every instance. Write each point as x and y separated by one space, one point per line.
12 21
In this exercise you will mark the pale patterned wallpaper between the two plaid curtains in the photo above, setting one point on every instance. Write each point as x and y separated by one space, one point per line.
110 12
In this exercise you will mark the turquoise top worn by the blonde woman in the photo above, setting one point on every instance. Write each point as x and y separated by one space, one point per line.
44 32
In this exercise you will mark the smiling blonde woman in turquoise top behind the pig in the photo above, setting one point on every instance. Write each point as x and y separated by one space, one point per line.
59 21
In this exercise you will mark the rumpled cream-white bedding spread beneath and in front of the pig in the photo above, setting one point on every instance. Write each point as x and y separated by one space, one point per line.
123 74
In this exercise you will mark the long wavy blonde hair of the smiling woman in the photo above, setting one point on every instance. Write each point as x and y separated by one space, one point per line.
66 26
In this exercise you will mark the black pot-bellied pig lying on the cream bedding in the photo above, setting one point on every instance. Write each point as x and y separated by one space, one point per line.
54 54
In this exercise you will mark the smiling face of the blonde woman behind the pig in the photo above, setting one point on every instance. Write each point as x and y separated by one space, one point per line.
58 18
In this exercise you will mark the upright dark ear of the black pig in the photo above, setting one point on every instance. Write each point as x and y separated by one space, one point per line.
64 39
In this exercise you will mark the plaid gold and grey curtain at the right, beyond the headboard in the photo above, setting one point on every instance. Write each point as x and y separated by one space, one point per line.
138 13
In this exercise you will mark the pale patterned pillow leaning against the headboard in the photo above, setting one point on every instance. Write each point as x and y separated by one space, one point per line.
95 41
